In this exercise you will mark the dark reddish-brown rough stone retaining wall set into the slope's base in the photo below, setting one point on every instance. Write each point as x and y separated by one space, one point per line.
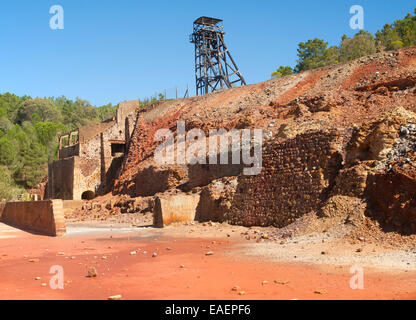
296 178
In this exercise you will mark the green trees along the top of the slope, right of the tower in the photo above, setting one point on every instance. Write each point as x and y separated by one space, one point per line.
316 53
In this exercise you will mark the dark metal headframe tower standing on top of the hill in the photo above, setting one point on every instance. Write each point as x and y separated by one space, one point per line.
214 66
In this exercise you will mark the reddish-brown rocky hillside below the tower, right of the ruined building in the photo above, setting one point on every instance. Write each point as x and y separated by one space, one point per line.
334 139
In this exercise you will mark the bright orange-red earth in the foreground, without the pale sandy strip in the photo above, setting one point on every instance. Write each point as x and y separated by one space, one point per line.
181 270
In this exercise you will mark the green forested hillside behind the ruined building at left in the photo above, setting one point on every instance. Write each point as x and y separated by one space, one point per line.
28 135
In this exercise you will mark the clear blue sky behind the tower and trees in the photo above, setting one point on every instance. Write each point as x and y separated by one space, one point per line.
110 51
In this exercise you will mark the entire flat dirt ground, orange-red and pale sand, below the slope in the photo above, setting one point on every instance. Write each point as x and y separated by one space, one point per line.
172 263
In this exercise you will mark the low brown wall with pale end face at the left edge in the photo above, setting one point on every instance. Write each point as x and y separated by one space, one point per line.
45 217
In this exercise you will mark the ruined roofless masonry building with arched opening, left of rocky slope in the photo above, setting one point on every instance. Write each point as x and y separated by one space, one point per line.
89 158
